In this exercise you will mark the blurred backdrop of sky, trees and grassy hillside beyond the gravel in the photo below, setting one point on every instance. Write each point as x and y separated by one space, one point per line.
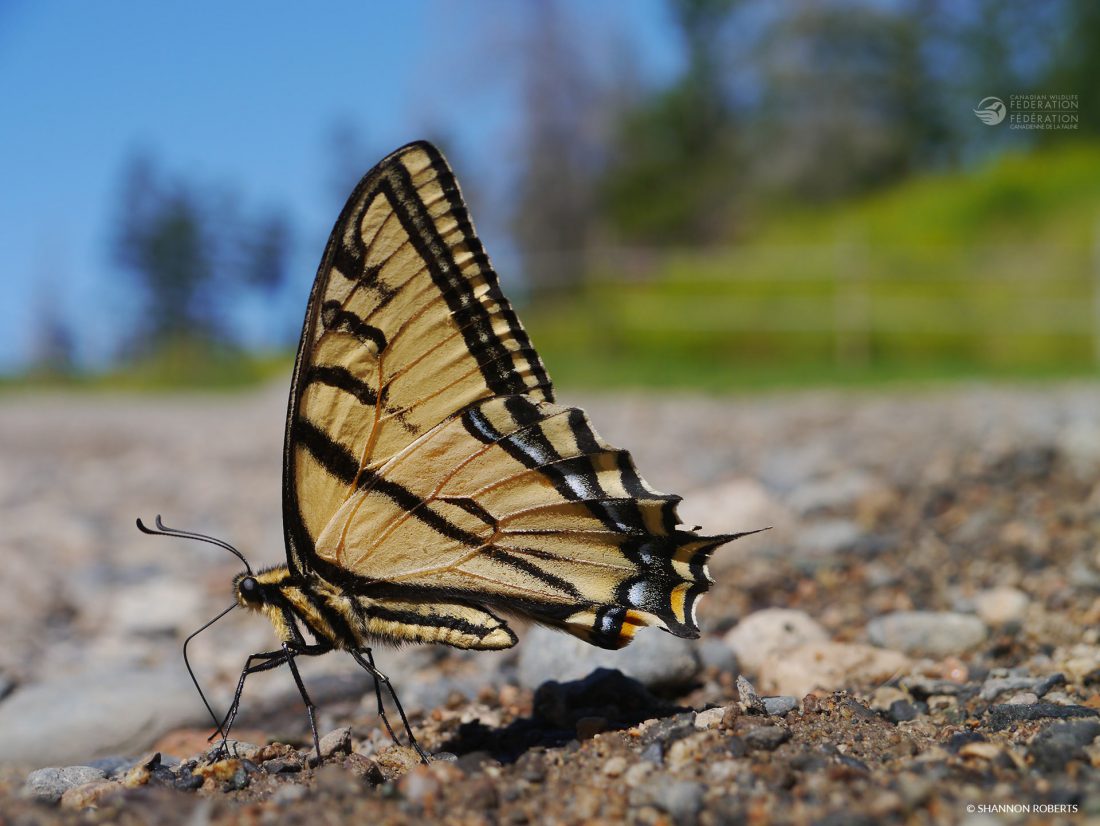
718 194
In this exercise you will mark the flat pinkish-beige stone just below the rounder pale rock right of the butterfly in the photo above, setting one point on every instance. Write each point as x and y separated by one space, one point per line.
830 666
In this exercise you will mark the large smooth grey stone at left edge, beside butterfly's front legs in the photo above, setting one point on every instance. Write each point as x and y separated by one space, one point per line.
96 715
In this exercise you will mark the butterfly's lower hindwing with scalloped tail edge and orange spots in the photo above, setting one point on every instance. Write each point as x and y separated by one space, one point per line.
519 504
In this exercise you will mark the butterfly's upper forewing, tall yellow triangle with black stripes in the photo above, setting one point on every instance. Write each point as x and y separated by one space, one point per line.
406 326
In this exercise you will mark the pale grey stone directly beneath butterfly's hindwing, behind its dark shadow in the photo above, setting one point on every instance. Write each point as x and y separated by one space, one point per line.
655 659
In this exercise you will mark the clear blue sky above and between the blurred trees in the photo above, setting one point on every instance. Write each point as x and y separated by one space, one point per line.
244 95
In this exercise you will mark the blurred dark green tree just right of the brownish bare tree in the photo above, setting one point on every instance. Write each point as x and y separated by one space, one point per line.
673 169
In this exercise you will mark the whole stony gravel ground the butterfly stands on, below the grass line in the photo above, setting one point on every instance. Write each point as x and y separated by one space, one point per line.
916 641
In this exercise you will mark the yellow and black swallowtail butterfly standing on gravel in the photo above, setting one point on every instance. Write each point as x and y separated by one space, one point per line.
433 488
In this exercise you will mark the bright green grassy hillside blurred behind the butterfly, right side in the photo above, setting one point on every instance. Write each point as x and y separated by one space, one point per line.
992 273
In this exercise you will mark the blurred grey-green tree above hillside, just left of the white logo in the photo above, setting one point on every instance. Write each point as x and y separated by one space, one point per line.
848 103
